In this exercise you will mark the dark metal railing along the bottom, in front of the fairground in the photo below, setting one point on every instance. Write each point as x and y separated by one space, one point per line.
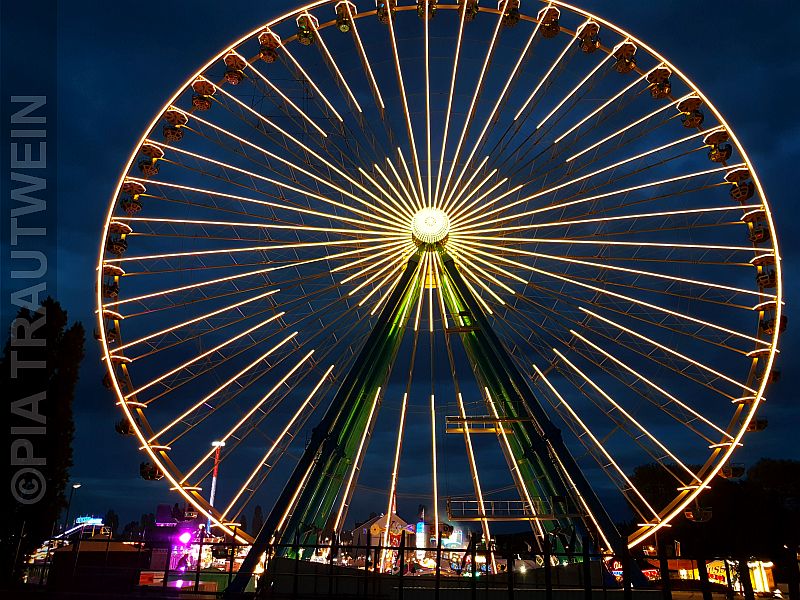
391 572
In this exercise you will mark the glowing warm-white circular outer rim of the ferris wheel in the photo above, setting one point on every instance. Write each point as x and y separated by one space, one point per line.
720 456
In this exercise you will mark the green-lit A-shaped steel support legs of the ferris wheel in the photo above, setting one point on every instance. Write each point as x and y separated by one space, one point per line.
331 449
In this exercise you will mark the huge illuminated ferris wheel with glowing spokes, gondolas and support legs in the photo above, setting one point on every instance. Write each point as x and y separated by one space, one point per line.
488 259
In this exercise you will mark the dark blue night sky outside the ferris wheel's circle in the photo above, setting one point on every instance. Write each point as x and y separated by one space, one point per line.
119 61
